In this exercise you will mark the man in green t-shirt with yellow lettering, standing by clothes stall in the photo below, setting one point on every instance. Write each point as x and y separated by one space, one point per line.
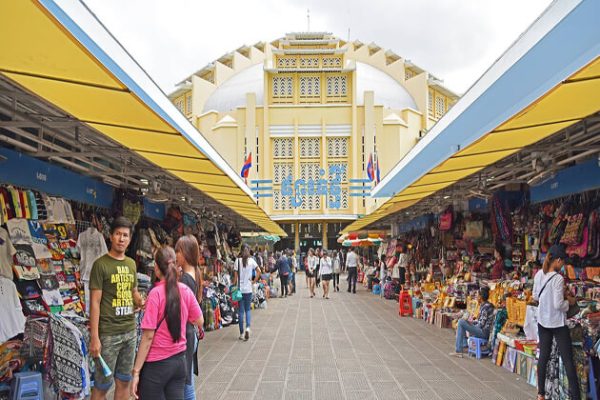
114 297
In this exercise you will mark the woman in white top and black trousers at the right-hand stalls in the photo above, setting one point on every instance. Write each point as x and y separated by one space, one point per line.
554 302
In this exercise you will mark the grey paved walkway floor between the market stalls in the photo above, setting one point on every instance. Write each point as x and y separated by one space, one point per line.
347 347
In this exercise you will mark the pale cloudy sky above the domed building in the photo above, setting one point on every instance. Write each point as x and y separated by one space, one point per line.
455 40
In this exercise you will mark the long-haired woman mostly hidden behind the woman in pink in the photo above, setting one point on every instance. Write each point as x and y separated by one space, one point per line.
187 254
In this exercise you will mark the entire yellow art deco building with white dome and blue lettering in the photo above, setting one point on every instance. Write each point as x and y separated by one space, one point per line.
315 112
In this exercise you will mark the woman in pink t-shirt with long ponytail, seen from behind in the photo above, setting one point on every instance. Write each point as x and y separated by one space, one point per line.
160 365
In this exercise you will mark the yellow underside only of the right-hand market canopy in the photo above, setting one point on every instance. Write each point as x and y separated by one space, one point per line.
568 103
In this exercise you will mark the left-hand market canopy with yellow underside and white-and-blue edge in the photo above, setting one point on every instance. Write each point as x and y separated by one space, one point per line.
80 68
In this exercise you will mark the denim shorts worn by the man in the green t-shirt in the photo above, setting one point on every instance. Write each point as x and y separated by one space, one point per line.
118 351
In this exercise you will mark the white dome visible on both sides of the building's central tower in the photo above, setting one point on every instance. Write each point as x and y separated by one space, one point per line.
232 93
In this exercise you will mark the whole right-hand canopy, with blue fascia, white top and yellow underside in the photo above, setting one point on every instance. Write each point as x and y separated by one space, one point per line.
548 80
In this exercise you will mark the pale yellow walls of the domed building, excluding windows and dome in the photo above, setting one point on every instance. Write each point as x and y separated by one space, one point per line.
250 123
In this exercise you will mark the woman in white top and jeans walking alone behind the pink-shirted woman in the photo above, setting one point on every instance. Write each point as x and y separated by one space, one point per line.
246 271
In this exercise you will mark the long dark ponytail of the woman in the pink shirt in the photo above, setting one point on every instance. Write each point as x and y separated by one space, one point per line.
165 260
